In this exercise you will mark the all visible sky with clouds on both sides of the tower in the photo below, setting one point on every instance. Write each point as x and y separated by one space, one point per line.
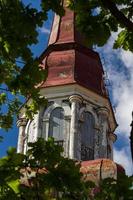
119 66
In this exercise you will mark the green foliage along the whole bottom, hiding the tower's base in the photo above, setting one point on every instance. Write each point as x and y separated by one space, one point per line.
43 173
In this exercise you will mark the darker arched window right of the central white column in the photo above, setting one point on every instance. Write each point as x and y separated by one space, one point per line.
87 137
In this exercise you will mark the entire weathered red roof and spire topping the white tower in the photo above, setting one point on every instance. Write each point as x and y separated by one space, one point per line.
68 61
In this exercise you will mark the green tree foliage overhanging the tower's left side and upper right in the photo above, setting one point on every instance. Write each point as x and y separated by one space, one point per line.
20 71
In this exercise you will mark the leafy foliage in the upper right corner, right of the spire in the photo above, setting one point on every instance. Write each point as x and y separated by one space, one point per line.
98 18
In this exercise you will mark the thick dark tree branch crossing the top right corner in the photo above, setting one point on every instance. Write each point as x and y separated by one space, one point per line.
121 18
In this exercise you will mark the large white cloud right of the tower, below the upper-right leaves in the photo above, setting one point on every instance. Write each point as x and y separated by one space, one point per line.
123 92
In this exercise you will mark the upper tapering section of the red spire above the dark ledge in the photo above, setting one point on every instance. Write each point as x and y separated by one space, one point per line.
64 28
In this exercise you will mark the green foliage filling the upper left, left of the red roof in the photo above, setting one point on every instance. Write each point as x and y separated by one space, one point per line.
18 68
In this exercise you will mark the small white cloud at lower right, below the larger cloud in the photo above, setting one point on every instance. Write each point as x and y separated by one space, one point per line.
121 157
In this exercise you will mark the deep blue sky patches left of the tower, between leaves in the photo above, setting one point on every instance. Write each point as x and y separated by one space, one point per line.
10 137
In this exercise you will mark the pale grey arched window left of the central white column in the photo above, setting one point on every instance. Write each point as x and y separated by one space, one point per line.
56 125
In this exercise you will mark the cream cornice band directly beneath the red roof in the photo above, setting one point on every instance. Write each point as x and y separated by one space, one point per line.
89 98
